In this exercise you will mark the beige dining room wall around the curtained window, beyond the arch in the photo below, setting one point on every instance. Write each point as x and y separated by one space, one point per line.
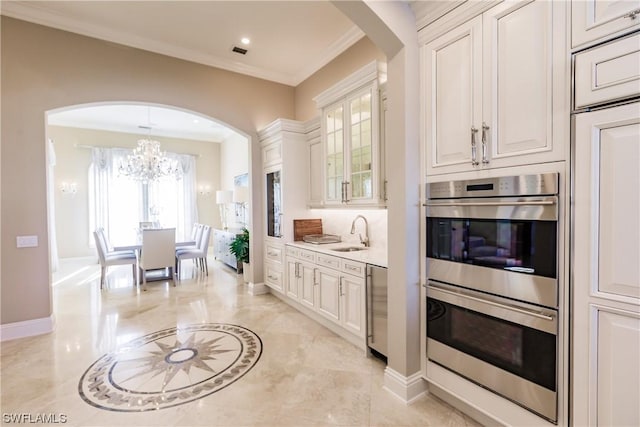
72 165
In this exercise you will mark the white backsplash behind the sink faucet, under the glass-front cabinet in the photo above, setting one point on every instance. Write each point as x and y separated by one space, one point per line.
338 221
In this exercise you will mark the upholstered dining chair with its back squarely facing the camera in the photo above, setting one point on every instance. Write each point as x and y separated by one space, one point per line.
158 252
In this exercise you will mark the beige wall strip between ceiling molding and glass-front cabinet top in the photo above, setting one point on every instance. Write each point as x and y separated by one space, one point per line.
351 60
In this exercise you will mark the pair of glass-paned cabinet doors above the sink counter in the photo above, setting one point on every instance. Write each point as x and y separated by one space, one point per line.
350 137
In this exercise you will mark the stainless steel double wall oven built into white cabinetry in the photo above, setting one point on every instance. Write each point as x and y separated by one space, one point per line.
492 289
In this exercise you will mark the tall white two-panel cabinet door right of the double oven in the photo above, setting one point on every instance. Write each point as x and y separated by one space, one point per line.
606 276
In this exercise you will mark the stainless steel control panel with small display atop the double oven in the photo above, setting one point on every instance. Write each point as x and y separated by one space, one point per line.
521 185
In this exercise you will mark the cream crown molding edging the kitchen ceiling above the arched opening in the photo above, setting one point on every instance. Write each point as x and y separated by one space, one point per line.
27 11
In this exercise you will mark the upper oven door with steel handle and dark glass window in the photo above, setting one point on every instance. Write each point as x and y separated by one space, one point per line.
504 246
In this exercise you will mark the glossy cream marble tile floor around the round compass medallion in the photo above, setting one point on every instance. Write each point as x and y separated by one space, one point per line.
304 376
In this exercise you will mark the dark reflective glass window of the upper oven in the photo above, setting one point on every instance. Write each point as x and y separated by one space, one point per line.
518 245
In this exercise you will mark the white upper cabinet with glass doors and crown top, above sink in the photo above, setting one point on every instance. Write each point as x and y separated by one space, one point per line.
351 143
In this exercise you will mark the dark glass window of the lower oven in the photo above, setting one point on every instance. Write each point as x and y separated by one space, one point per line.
523 351
